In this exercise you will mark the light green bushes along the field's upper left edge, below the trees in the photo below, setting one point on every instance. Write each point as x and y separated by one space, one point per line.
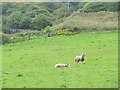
22 36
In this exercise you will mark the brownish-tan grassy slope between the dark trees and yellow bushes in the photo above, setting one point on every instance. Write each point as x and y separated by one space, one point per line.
99 21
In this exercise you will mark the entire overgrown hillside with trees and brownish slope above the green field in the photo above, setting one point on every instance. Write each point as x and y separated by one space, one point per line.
27 20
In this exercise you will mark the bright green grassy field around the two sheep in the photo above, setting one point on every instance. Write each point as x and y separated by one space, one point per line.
30 64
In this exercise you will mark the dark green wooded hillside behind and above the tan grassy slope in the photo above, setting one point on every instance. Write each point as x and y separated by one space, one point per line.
27 15
